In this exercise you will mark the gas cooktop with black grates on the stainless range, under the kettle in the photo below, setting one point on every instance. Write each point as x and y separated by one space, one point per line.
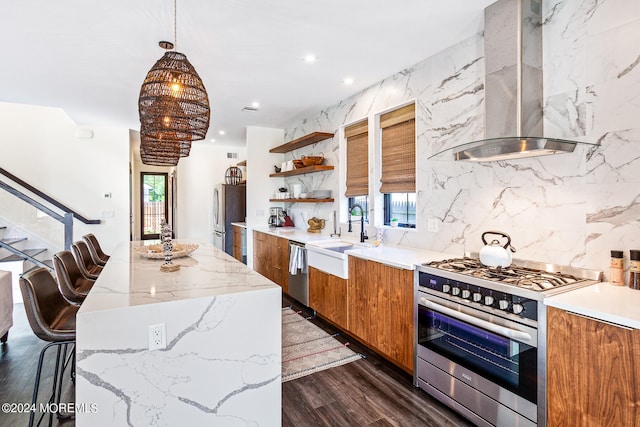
526 275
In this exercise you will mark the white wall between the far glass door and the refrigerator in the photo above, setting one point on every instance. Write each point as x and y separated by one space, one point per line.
197 175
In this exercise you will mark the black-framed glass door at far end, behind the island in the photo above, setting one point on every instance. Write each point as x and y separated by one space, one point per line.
154 203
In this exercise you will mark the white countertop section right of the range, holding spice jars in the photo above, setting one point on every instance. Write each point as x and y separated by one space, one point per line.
616 304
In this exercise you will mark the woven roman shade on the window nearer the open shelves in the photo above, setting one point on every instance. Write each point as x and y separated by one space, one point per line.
357 159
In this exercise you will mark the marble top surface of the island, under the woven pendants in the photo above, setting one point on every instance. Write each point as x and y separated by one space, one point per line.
129 280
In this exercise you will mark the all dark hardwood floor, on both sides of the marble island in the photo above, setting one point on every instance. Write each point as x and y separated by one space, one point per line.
368 392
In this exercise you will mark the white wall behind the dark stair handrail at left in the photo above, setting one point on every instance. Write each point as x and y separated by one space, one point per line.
40 146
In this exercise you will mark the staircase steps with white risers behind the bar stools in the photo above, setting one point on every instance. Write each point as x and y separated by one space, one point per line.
17 257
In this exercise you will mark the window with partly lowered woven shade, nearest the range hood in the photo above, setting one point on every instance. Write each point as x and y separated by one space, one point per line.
398 180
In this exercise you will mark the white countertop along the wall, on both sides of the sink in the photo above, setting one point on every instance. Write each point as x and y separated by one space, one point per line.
395 256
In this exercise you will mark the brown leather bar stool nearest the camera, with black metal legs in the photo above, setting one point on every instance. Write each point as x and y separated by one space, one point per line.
52 319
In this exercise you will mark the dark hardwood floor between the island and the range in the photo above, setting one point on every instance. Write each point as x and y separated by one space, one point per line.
368 392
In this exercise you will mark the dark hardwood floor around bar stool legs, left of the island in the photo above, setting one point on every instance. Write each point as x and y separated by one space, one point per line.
18 363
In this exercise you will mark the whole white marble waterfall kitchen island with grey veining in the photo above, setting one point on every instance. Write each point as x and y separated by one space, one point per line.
222 361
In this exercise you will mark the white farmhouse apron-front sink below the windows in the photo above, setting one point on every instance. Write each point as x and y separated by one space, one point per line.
329 255
